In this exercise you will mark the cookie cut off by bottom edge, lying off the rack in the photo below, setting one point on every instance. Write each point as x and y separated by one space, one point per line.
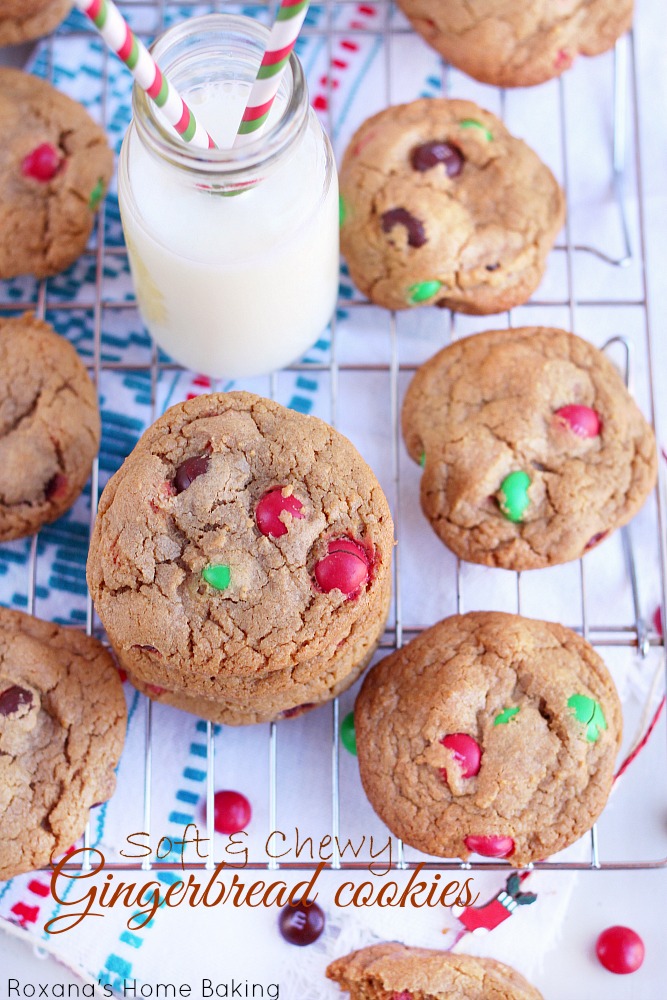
393 971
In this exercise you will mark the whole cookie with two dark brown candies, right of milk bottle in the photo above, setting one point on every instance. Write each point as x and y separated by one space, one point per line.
442 206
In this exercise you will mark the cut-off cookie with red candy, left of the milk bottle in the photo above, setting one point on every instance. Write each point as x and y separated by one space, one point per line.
55 165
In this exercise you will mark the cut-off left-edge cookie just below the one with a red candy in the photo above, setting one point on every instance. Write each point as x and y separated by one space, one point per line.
49 425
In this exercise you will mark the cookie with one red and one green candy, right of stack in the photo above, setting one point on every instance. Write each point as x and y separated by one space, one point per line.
508 403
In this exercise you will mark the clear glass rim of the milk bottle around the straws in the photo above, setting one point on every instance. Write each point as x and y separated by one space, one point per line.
236 165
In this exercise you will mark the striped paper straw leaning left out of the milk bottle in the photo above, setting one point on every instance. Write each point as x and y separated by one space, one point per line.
120 38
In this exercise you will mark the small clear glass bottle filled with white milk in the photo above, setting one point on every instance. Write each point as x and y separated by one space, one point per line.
233 252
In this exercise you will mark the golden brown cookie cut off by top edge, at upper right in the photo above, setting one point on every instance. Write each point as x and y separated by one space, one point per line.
512 44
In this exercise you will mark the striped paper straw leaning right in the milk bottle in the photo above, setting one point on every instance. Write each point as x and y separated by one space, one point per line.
284 33
